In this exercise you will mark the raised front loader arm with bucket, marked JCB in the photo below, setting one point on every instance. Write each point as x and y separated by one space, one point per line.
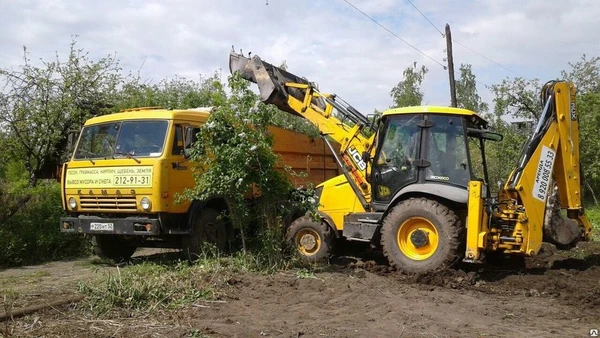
299 97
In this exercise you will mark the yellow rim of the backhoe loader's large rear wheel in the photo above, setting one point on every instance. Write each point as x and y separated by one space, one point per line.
417 238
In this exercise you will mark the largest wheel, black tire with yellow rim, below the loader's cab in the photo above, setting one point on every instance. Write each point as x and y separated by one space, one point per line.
435 229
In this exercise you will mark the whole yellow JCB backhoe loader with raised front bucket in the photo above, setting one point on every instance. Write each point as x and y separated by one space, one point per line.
415 180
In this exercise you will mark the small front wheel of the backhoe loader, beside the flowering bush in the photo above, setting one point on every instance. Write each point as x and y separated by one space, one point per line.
313 241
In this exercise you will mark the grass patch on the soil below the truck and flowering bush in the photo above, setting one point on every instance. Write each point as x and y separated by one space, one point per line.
145 286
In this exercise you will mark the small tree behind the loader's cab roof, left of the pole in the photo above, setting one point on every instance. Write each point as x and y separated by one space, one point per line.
408 91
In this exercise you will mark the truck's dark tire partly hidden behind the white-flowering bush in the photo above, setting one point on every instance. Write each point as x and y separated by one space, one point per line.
207 227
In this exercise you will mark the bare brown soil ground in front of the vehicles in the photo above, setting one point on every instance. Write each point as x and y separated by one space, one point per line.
556 295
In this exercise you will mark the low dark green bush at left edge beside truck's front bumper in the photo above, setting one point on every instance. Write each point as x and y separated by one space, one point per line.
33 236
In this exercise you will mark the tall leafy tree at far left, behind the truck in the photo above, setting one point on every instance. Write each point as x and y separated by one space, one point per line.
39 105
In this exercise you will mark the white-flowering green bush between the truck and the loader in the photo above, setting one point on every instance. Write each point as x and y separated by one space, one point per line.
233 154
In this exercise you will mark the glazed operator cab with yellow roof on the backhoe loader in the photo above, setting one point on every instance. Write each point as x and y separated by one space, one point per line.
430 147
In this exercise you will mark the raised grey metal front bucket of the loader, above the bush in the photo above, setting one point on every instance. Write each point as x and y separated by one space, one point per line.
271 80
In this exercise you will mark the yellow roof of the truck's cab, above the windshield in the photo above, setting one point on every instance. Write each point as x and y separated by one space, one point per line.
144 113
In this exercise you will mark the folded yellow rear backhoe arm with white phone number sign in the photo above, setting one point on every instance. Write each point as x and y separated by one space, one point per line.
552 152
